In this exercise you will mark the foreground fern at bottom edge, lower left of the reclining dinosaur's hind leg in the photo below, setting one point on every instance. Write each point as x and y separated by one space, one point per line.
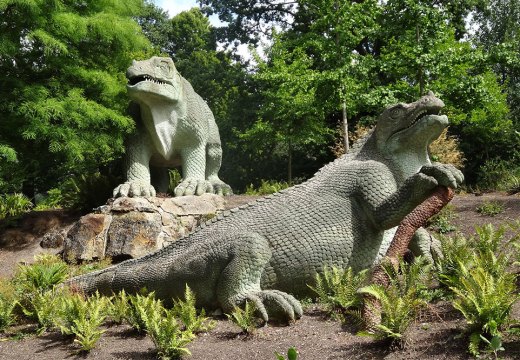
165 331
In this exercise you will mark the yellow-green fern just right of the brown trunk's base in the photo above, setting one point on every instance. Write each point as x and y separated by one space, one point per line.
401 300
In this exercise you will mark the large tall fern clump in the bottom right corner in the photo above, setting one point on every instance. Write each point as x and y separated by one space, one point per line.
484 290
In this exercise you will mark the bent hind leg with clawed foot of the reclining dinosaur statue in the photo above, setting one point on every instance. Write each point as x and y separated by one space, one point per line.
240 280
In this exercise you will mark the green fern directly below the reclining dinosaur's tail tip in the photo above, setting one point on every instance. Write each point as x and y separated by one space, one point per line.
82 318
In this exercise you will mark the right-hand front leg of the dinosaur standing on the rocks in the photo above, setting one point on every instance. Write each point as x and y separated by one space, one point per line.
193 172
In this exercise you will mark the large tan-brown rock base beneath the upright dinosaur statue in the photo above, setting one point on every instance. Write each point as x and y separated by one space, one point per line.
132 227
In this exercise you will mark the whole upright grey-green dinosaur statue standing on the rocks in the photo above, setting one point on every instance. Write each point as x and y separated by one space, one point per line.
175 127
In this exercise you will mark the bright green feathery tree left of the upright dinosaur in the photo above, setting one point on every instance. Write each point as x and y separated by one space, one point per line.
62 86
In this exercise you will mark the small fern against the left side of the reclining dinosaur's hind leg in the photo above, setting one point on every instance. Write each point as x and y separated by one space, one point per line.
186 312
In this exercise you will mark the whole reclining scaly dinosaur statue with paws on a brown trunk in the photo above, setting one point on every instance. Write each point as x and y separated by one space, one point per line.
344 216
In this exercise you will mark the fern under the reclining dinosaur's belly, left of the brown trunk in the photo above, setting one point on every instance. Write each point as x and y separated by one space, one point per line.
338 289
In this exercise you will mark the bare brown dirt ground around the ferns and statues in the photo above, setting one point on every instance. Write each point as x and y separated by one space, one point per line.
434 336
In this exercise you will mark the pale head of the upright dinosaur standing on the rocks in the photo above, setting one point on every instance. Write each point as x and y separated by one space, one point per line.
153 79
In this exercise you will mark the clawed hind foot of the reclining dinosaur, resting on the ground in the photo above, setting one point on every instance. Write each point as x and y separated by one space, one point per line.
276 303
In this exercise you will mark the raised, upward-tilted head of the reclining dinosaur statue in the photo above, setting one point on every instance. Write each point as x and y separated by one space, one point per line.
410 127
